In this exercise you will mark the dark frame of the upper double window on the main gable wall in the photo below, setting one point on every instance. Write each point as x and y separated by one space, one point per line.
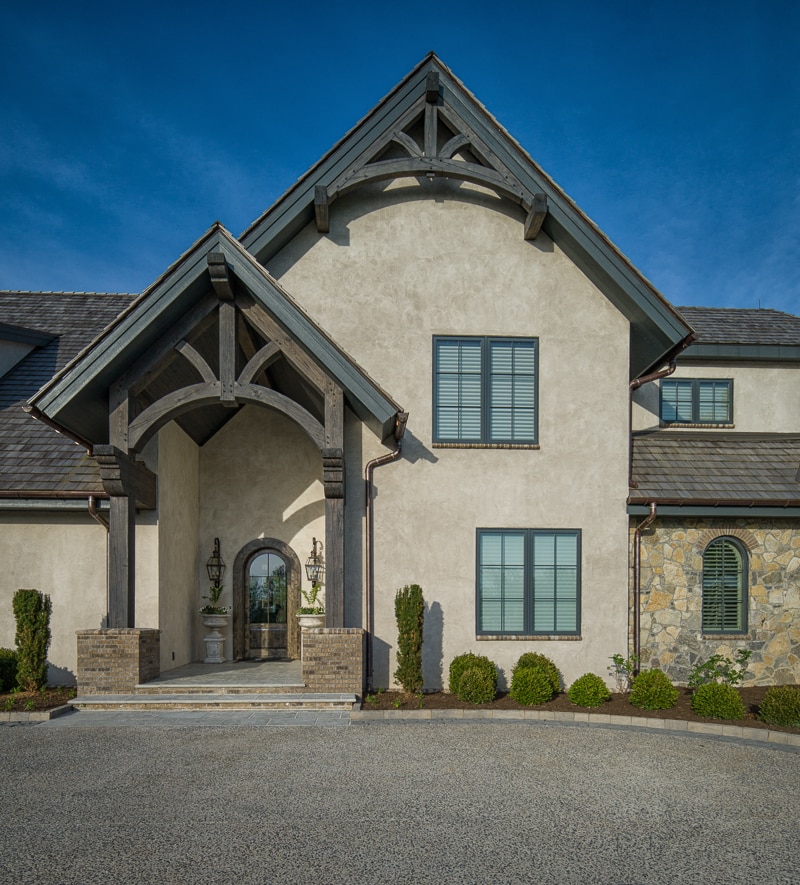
486 342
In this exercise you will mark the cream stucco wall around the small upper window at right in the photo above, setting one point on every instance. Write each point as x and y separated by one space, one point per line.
765 396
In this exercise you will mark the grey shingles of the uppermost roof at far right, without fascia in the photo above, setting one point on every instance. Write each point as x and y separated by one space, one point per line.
733 325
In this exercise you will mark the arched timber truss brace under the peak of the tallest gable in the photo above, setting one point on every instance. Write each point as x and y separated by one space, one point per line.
430 160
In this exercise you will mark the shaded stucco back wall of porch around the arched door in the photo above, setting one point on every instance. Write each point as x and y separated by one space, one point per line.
260 477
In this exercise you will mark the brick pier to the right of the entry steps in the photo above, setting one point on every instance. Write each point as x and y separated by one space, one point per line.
333 659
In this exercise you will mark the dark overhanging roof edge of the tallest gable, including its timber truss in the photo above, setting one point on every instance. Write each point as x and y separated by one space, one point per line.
656 328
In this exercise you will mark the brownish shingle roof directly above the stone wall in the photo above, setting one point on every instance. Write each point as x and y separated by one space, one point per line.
726 469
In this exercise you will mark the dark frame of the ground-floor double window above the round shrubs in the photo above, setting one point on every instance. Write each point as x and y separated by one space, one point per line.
528 597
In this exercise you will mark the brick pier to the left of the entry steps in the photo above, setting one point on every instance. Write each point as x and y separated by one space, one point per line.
115 661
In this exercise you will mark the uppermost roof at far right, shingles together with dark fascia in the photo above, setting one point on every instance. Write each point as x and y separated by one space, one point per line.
742 332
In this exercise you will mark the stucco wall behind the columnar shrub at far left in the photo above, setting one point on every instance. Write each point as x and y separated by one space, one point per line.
62 555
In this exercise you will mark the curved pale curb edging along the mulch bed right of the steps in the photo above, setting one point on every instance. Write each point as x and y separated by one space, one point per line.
680 725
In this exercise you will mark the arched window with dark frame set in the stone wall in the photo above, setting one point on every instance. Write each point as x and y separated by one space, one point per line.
725 587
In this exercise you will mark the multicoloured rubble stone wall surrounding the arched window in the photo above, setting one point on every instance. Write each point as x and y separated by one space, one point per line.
671 597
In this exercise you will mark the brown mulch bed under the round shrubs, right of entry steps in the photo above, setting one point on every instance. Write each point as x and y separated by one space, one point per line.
617 706
